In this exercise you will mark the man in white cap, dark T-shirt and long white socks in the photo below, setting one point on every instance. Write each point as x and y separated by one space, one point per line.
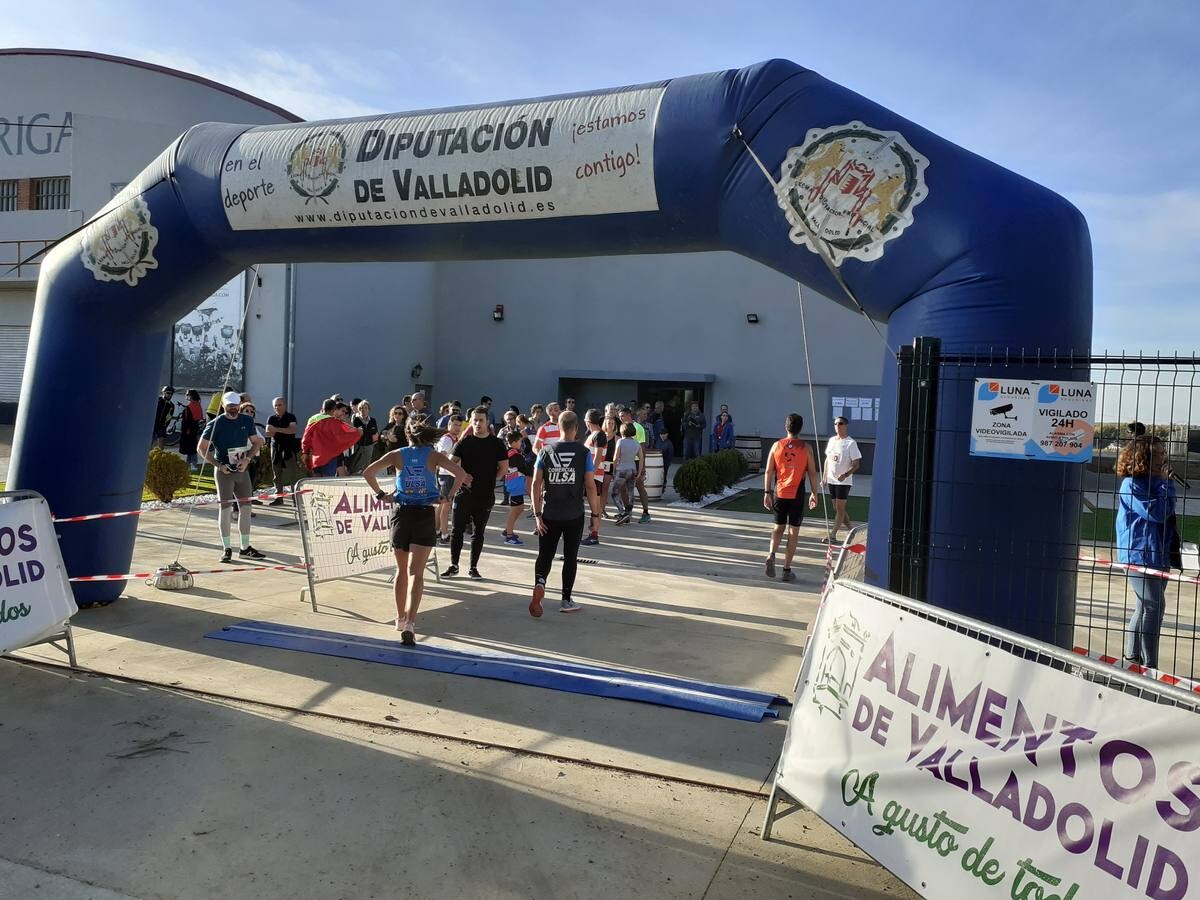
230 442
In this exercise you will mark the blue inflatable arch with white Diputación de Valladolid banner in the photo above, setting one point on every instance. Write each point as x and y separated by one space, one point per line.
933 241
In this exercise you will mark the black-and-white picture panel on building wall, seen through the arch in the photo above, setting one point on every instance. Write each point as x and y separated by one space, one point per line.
209 341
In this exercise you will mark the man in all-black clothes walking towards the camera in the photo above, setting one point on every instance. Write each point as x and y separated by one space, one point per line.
487 459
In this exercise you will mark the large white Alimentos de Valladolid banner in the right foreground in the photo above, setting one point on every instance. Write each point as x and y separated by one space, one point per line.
971 772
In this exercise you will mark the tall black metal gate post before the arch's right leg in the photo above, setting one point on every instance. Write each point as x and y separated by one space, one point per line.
914 478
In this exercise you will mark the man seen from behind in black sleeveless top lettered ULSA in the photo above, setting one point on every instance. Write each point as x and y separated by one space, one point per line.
562 479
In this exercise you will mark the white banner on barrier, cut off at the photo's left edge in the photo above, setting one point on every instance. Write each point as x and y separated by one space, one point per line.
35 595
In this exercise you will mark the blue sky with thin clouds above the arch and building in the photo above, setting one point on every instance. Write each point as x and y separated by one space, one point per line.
1100 101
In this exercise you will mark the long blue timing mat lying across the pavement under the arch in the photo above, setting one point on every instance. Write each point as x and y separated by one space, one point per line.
577 679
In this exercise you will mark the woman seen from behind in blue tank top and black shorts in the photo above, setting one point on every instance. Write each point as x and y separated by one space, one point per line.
413 527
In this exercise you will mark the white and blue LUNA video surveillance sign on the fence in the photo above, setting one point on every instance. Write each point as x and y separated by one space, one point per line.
1034 421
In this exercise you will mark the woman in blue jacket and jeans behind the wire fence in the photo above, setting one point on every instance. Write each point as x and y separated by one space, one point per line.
1145 509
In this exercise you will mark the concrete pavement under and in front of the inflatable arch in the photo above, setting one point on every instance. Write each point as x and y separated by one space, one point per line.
238 771
